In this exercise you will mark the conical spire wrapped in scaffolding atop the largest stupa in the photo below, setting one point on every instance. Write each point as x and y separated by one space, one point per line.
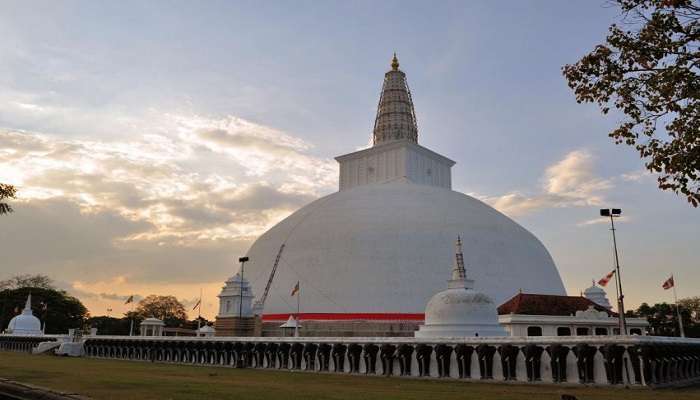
396 117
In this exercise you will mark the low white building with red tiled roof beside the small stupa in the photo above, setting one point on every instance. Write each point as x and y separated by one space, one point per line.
548 315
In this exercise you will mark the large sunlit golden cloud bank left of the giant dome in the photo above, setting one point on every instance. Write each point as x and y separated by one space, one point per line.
165 210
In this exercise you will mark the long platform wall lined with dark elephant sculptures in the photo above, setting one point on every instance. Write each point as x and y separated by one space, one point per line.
634 361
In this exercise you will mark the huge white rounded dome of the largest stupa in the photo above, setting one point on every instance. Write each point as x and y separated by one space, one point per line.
381 248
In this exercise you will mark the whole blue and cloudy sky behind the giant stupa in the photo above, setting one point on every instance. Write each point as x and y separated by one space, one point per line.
151 142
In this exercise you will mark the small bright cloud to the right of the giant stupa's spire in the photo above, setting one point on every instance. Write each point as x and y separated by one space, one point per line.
569 182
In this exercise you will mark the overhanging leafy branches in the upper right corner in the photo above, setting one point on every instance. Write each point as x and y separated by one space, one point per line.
650 72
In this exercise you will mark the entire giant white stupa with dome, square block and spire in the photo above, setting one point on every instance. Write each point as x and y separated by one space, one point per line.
376 249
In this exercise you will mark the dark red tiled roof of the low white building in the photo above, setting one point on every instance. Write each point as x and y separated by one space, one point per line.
546 304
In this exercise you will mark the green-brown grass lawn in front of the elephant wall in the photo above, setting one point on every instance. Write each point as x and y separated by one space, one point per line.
114 379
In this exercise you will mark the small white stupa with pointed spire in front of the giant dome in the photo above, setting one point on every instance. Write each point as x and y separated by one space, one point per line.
460 311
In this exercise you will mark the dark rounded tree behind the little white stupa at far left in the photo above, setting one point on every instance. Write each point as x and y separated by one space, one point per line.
55 308
